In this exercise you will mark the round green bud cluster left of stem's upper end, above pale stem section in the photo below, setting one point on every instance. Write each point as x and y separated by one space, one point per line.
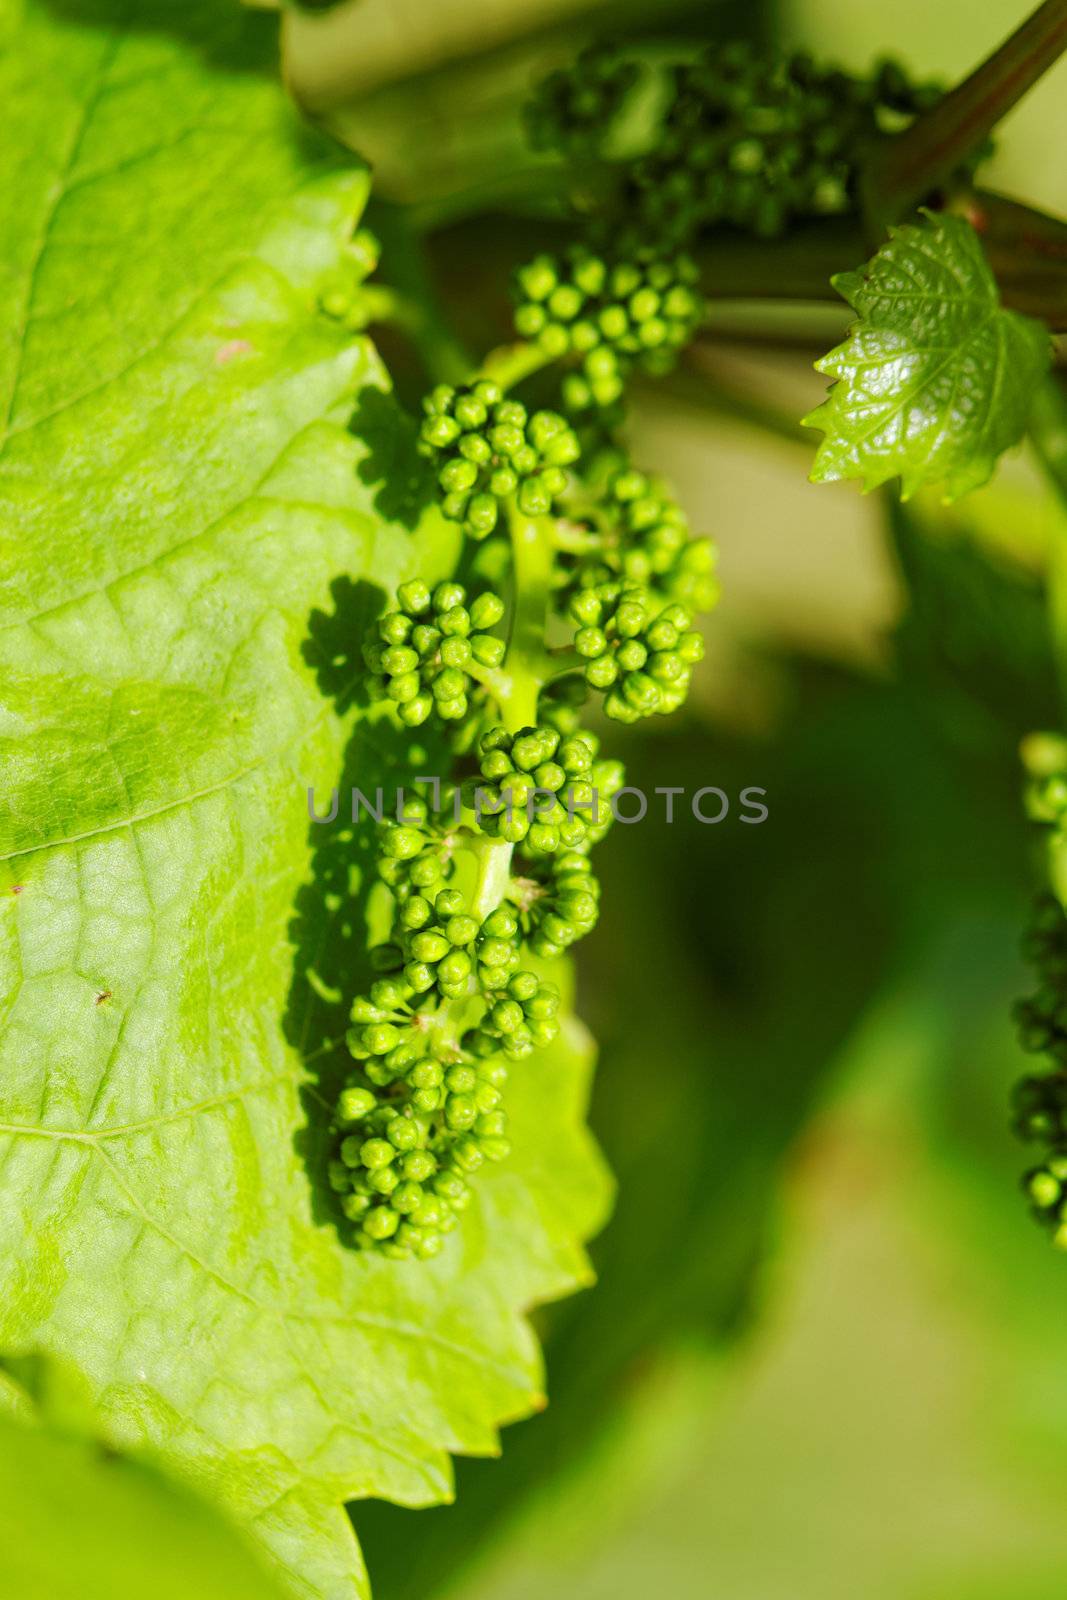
494 450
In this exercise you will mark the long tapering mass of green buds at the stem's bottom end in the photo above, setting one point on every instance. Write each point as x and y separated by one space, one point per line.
423 1110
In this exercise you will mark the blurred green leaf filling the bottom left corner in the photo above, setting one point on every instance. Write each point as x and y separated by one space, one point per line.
84 1522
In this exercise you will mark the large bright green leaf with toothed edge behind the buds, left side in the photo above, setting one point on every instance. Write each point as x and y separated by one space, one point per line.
186 511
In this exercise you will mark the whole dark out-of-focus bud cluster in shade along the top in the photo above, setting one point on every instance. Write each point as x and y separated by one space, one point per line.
745 138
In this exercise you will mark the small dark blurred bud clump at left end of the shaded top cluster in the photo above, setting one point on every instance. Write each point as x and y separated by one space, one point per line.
575 108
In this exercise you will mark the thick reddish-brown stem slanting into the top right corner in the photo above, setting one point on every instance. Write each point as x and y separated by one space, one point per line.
903 170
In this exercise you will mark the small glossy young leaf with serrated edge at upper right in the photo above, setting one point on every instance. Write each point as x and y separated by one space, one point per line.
937 378
